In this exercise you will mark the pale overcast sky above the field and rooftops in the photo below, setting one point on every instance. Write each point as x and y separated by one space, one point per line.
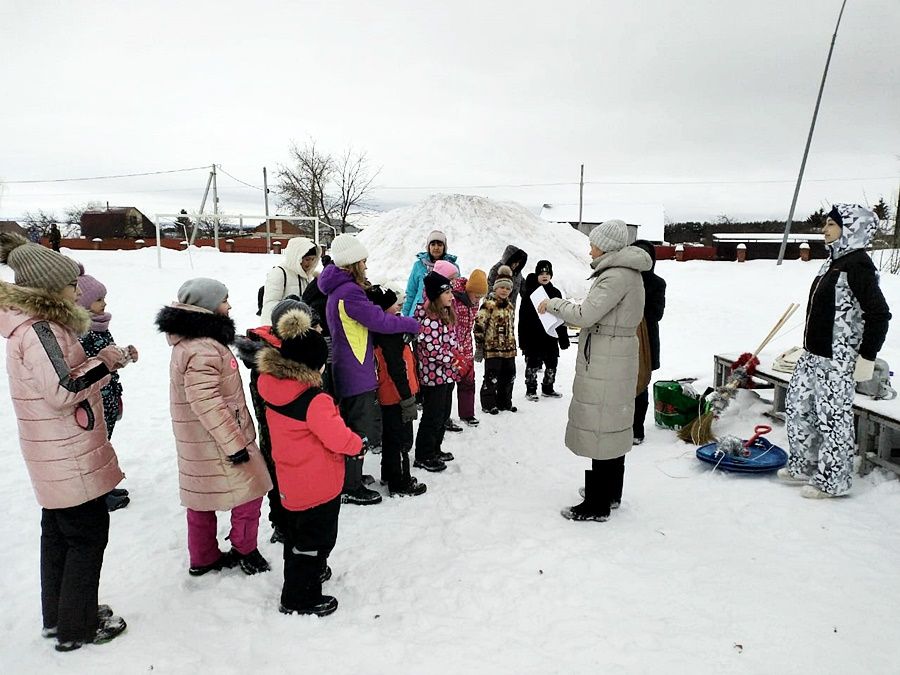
713 97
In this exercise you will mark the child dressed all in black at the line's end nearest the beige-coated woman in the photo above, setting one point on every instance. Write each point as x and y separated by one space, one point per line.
539 348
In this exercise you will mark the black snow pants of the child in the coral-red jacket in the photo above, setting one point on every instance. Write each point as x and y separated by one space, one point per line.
310 536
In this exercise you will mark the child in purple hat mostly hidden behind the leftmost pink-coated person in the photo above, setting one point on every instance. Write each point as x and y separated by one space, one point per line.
93 299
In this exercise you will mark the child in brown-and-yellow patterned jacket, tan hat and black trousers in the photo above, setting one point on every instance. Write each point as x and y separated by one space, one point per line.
495 343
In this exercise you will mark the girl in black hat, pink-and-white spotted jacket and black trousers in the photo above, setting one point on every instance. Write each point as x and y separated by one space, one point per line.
436 352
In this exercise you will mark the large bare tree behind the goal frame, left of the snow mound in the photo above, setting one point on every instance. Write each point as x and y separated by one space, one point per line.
316 184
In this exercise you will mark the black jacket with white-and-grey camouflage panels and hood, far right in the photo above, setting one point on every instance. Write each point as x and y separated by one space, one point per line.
847 315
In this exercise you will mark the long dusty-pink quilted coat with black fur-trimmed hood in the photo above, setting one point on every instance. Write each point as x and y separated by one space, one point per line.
209 414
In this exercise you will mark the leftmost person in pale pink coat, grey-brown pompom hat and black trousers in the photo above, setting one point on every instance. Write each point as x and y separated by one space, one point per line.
55 393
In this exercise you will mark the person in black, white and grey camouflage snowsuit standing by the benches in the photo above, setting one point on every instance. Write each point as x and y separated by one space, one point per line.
846 324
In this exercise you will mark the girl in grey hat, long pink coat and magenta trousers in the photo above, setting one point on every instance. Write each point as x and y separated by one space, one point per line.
220 467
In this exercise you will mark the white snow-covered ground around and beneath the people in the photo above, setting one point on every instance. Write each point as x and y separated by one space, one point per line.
697 572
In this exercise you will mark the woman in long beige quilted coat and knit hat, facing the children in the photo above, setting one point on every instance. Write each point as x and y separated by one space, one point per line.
606 369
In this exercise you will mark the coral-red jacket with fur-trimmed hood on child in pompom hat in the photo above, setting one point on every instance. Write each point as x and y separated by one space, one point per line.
309 438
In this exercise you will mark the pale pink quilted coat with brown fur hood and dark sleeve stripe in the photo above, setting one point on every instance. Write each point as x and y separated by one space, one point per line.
55 391
